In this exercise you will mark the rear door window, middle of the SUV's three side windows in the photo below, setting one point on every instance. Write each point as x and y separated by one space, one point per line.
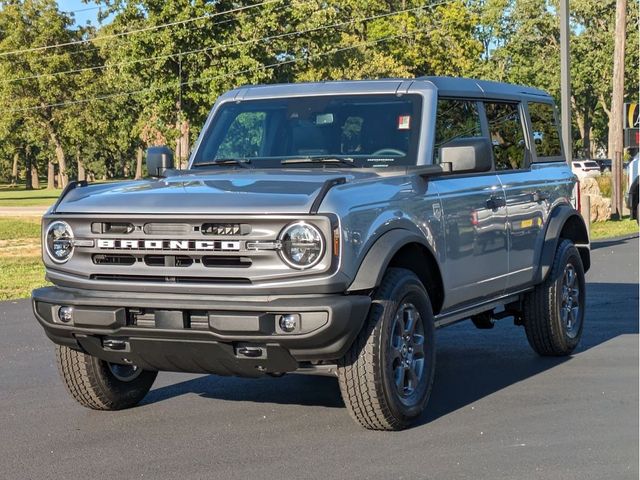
507 137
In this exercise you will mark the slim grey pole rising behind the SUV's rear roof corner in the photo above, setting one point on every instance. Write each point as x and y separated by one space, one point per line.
565 80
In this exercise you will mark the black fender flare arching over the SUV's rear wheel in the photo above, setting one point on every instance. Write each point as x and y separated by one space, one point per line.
559 217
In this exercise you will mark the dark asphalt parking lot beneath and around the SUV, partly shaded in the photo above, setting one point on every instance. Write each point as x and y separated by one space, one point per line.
497 411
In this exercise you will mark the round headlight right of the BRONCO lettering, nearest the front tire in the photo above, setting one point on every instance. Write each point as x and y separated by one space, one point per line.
302 245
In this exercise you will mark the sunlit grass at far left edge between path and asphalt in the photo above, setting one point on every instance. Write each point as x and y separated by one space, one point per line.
21 267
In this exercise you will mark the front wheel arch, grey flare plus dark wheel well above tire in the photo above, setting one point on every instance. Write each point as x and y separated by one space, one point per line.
402 249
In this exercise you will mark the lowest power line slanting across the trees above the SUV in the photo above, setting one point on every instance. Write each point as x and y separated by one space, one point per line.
225 75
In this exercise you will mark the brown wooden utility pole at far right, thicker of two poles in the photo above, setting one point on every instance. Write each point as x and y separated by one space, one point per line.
616 134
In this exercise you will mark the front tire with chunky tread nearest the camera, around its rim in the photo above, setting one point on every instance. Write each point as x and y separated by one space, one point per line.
365 372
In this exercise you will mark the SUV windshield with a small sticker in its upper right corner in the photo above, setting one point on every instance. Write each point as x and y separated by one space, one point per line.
349 131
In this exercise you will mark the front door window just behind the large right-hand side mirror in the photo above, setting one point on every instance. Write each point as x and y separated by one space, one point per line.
456 119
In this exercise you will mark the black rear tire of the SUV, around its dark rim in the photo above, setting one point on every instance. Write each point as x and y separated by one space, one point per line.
546 332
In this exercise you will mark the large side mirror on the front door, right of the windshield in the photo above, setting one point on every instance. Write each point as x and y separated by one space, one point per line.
467 154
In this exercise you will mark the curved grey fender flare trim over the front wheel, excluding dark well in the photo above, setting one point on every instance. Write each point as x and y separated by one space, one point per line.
378 257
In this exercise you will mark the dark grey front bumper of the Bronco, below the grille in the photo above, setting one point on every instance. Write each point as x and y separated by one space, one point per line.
221 335
